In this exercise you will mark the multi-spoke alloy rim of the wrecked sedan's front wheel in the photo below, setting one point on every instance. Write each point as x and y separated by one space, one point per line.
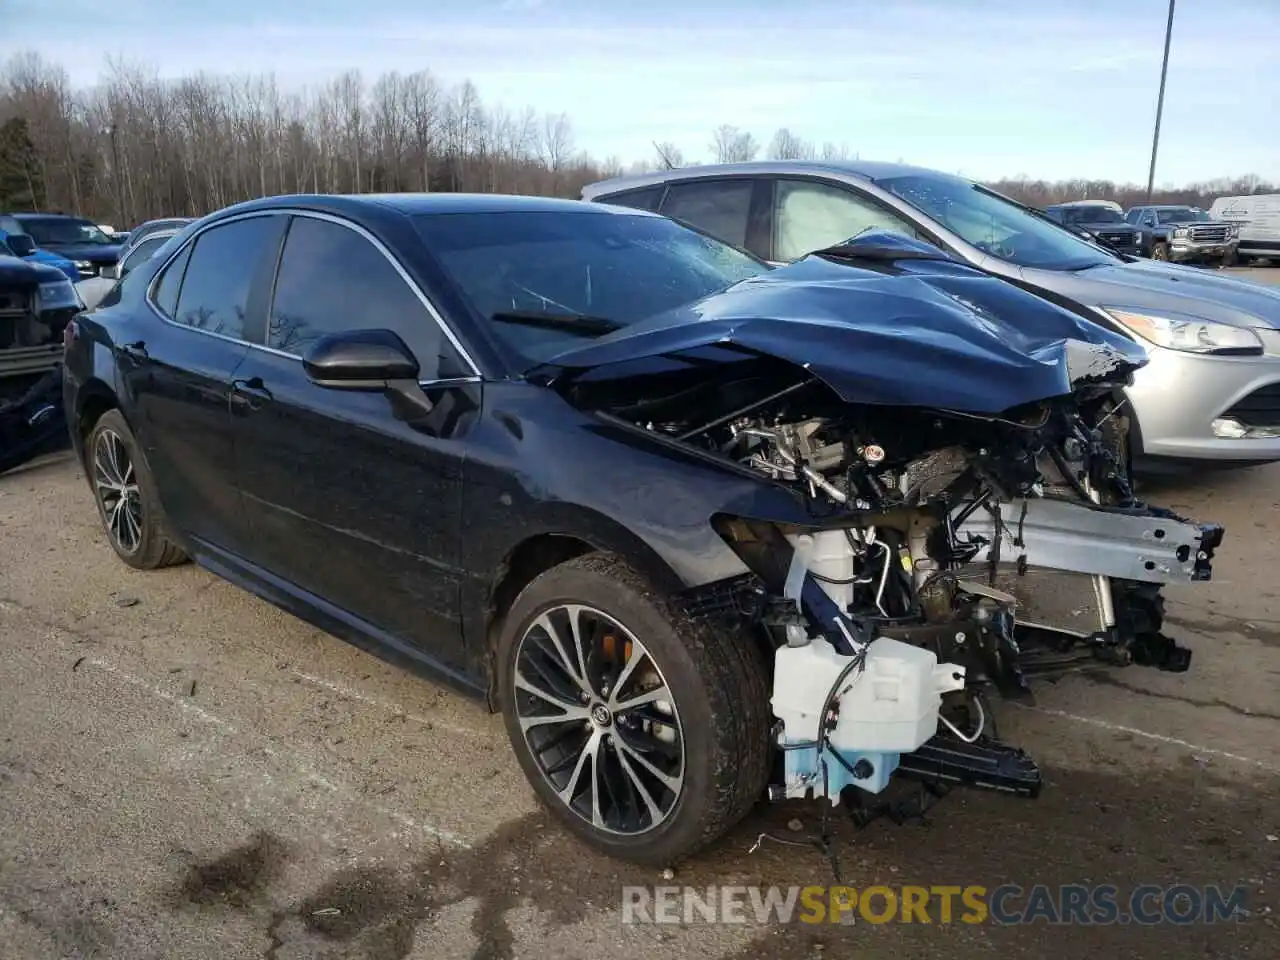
600 720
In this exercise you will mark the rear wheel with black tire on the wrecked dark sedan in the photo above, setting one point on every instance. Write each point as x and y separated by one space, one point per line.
156 547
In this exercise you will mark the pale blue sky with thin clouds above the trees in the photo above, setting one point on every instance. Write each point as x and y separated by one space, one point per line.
982 88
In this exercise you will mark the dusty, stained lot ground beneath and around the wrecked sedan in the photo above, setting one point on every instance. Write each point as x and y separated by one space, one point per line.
188 772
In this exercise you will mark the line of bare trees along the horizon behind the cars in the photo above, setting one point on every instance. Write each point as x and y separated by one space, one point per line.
136 147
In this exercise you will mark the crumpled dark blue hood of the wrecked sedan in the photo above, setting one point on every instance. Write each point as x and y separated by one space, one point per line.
894 322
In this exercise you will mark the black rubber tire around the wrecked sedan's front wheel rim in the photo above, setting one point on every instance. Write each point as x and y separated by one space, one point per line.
721 700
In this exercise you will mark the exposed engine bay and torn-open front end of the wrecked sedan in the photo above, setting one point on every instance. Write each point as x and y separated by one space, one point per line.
950 556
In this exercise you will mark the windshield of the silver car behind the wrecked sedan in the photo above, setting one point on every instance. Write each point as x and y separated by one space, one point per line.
996 226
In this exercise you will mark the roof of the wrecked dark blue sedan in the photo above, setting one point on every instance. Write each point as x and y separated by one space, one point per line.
420 204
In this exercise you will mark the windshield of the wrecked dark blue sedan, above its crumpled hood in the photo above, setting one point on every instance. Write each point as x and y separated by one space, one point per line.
586 273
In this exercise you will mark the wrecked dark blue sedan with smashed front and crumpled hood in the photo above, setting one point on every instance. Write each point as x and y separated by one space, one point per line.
705 532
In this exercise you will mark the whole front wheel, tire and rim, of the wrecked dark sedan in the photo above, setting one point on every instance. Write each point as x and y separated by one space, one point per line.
647 734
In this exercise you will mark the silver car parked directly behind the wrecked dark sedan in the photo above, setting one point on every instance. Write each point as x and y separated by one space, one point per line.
1212 390
